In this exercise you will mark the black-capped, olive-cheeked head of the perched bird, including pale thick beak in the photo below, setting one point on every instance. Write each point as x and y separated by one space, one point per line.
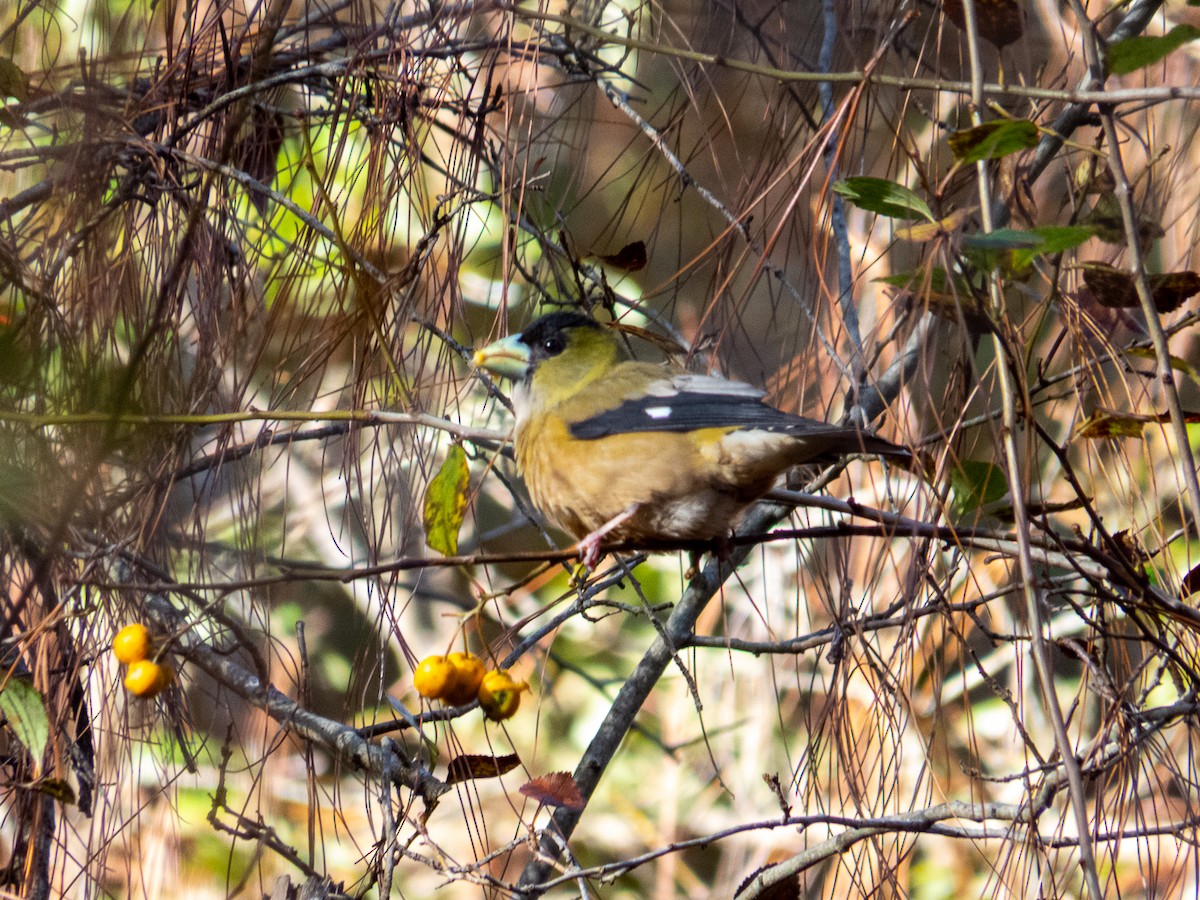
555 357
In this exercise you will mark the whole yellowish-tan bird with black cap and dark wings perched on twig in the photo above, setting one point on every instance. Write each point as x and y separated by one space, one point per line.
627 452
